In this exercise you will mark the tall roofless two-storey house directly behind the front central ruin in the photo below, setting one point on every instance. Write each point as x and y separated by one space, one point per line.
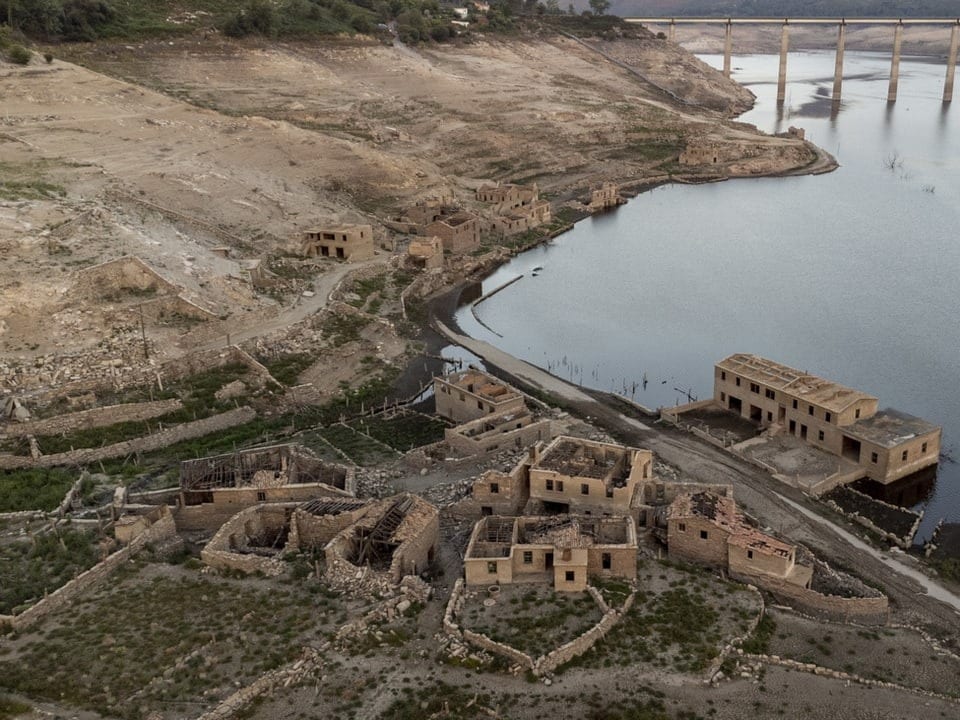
584 476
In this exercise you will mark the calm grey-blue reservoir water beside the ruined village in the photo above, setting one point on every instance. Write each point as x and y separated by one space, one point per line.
853 275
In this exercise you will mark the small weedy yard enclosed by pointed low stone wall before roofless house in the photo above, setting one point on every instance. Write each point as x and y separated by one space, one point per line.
534 619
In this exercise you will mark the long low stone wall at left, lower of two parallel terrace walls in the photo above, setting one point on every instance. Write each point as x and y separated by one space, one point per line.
156 441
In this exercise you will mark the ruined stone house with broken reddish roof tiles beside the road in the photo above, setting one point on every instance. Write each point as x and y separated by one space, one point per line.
705 527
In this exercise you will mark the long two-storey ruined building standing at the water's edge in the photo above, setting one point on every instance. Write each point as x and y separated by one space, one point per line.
888 444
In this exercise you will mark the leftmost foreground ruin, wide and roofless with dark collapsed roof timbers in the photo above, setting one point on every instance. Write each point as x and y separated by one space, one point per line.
215 488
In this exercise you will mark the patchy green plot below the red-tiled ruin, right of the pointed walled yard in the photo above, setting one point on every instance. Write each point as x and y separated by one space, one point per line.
680 619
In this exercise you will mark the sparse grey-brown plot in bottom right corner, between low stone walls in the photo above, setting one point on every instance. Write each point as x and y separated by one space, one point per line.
894 655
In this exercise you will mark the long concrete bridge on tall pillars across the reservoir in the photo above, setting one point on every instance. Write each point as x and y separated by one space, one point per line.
841 25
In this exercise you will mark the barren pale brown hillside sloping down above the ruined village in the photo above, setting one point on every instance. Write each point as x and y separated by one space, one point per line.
201 155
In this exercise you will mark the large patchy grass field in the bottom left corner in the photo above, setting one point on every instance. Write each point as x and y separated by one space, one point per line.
166 637
